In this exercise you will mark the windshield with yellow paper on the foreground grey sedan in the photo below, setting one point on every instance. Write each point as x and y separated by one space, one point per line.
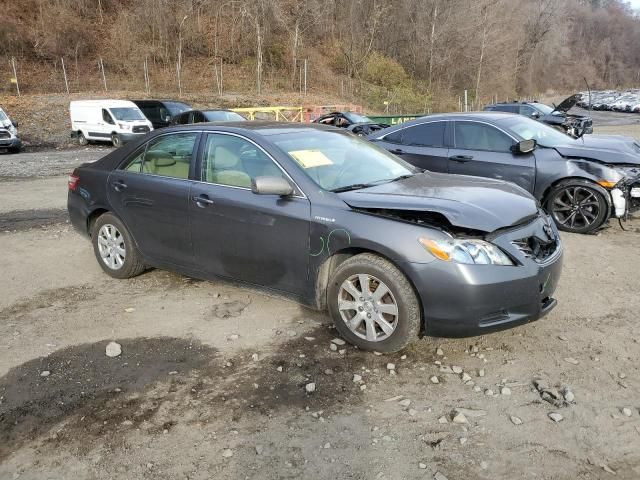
335 160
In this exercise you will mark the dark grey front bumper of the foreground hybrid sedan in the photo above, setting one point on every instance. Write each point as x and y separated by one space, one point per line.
466 300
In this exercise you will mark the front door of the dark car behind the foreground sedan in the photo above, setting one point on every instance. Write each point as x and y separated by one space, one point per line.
484 150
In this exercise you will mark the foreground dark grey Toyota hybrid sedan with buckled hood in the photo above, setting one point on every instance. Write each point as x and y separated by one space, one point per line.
327 218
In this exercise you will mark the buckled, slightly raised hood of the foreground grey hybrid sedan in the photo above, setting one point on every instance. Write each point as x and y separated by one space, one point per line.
468 202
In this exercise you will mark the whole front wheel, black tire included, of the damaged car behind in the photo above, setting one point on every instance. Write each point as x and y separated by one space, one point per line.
578 206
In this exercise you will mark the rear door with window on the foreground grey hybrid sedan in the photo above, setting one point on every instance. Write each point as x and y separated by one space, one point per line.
150 193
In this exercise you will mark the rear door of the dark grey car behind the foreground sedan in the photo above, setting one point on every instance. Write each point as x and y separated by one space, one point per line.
422 145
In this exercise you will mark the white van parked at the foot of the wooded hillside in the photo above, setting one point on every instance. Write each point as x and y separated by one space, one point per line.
115 121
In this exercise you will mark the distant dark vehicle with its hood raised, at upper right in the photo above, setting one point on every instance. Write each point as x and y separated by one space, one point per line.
557 116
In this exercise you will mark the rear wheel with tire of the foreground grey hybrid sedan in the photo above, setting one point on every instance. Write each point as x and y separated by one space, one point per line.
109 251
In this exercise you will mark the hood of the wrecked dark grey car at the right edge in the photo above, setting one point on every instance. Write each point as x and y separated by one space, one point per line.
613 149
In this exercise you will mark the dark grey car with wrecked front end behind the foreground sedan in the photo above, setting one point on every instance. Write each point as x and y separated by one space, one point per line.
580 182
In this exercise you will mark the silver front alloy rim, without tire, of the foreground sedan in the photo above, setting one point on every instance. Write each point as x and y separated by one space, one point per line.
368 308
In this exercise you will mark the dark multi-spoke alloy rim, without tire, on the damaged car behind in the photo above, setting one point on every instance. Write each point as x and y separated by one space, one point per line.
576 207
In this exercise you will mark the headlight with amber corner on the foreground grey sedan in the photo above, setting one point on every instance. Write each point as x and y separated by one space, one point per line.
466 251
